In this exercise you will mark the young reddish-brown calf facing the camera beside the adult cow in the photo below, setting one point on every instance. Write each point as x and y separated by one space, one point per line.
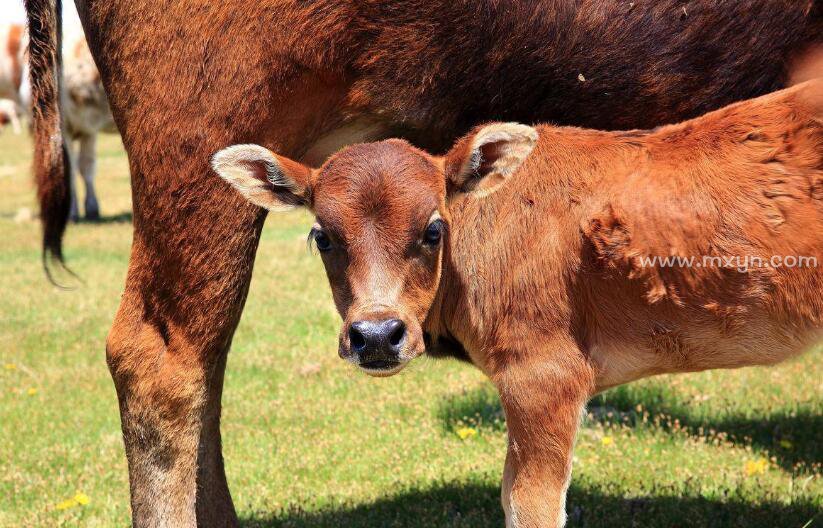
606 257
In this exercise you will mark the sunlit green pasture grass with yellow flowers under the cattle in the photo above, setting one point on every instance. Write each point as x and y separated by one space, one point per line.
310 443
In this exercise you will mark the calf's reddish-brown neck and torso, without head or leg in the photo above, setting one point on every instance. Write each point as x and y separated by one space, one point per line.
576 232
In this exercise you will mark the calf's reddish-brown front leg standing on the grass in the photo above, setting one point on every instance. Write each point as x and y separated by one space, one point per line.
543 400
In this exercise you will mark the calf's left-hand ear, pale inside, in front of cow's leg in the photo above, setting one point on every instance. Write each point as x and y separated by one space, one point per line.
273 182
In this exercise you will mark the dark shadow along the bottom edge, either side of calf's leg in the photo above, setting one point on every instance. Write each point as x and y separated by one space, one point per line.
478 506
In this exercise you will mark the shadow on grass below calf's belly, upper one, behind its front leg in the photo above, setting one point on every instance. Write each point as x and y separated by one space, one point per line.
792 436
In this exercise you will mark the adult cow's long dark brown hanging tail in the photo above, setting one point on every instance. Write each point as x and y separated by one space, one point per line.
51 160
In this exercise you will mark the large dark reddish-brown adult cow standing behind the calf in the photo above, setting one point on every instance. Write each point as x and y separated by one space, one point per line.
187 78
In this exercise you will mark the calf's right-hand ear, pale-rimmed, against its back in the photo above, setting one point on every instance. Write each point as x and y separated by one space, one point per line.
484 159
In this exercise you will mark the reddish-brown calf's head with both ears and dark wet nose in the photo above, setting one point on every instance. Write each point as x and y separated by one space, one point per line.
382 221
